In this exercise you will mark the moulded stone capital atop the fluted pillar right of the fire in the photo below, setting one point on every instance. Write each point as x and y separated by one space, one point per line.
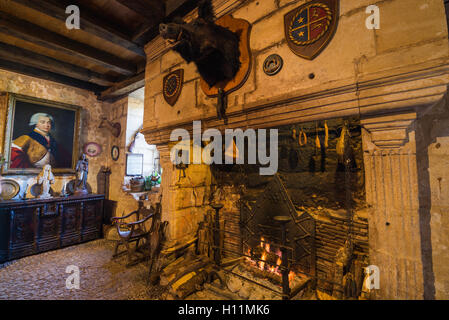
389 131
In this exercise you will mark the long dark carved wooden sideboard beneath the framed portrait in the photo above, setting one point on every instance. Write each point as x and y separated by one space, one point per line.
33 226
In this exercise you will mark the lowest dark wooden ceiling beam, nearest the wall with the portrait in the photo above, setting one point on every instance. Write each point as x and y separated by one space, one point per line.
47 75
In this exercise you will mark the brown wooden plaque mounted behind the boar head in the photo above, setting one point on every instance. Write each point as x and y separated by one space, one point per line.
243 29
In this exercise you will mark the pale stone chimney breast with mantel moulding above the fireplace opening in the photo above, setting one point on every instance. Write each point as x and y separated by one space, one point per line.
353 59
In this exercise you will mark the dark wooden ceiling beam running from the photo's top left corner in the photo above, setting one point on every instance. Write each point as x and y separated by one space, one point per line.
89 23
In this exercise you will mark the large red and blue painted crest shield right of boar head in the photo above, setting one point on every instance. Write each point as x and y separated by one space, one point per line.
310 27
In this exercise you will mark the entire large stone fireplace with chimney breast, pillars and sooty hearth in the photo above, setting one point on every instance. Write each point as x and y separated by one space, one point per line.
382 89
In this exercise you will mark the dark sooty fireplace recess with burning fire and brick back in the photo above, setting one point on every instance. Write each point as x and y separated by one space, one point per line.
323 199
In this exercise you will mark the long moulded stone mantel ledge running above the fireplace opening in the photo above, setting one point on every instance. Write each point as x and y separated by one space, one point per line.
408 88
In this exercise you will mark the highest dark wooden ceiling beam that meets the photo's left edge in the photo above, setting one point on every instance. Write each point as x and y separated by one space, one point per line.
27 31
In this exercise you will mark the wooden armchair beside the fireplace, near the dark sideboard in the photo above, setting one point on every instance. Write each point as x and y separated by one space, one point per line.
129 232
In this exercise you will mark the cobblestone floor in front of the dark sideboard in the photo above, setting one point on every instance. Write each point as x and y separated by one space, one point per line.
43 276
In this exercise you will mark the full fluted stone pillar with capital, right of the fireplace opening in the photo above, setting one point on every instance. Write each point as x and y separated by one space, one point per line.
392 191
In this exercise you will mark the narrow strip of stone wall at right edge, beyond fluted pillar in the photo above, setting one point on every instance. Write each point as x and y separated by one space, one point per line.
433 164
